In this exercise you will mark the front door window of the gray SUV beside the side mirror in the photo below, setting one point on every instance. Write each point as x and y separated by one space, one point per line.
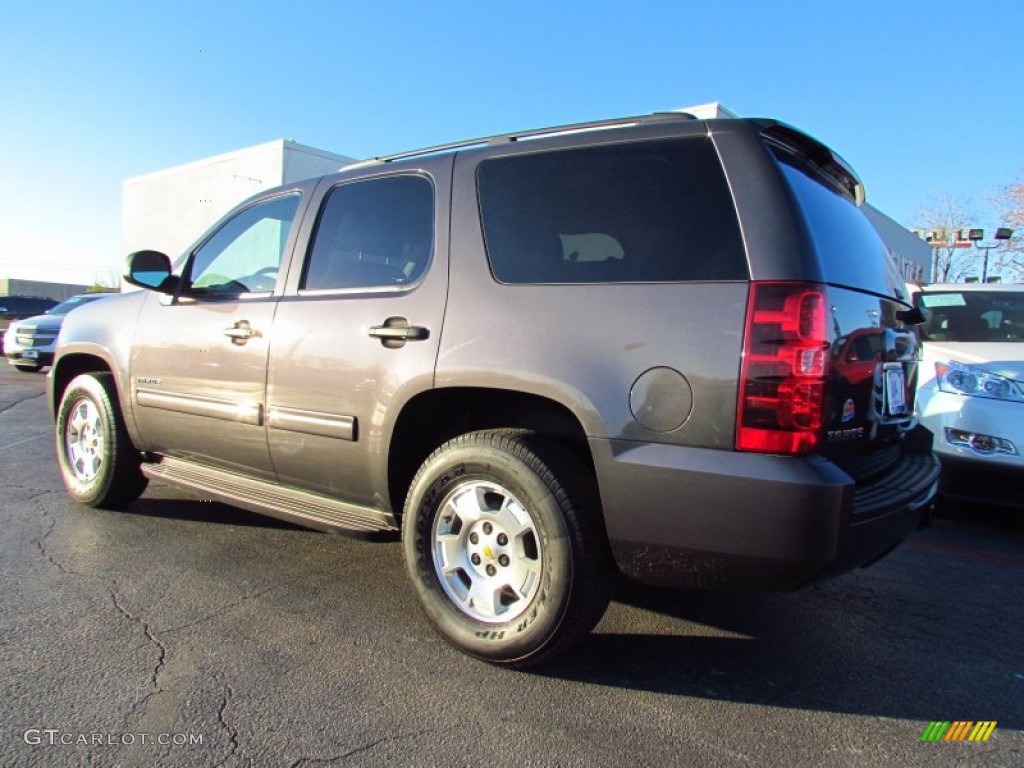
245 254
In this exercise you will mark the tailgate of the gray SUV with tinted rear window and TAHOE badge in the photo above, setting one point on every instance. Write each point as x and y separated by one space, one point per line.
874 359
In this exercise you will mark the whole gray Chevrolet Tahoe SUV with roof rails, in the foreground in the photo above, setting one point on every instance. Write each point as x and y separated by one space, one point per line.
667 347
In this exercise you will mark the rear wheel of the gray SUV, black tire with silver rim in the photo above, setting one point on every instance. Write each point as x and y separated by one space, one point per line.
538 495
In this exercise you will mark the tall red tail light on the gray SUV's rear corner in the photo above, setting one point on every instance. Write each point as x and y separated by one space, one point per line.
785 369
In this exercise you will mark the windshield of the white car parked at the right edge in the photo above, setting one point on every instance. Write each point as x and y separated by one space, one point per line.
973 316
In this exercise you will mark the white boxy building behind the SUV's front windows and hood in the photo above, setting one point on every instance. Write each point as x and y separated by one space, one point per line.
170 209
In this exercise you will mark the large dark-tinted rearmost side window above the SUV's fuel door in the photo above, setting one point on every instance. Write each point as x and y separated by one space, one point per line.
645 212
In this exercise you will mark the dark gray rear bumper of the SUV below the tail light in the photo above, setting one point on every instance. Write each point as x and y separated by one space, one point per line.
695 518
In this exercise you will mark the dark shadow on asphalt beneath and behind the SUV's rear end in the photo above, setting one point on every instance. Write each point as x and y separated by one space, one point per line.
834 649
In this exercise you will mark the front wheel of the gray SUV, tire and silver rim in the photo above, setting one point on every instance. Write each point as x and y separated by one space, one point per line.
99 464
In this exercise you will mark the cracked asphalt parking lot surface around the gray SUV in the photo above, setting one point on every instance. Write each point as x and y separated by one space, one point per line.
185 633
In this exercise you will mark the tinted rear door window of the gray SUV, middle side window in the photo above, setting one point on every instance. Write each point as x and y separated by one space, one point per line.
373 234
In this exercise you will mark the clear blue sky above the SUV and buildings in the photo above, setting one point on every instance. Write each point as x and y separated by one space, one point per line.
921 98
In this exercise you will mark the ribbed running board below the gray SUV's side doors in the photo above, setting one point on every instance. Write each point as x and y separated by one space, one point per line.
300 507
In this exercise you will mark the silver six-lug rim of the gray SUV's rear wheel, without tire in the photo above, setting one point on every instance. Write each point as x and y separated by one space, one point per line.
487 552
